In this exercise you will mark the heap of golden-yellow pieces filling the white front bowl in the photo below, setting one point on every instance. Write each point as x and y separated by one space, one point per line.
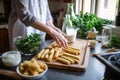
32 67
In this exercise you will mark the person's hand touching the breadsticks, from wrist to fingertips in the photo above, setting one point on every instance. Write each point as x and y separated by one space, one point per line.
59 37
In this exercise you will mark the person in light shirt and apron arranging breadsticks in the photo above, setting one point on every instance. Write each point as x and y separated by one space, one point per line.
33 16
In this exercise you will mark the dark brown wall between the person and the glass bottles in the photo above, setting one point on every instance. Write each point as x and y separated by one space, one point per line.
58 10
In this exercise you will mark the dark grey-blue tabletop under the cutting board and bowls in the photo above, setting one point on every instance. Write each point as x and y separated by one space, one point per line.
95 69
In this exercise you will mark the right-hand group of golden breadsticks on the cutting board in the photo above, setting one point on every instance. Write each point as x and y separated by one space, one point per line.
70 55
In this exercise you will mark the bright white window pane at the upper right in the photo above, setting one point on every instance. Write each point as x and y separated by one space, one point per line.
106 9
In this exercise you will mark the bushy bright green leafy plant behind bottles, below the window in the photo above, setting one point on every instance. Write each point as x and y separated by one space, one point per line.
87 21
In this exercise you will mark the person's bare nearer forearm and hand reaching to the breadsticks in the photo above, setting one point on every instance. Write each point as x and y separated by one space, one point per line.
55 33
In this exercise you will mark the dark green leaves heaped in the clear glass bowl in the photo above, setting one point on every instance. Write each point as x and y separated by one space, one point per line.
29 44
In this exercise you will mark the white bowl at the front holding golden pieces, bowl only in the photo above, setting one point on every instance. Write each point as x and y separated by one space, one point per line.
31 77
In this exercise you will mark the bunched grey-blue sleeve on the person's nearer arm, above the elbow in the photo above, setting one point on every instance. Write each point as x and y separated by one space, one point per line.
23 12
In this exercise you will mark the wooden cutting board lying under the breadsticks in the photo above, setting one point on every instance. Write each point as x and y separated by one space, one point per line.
81 44
